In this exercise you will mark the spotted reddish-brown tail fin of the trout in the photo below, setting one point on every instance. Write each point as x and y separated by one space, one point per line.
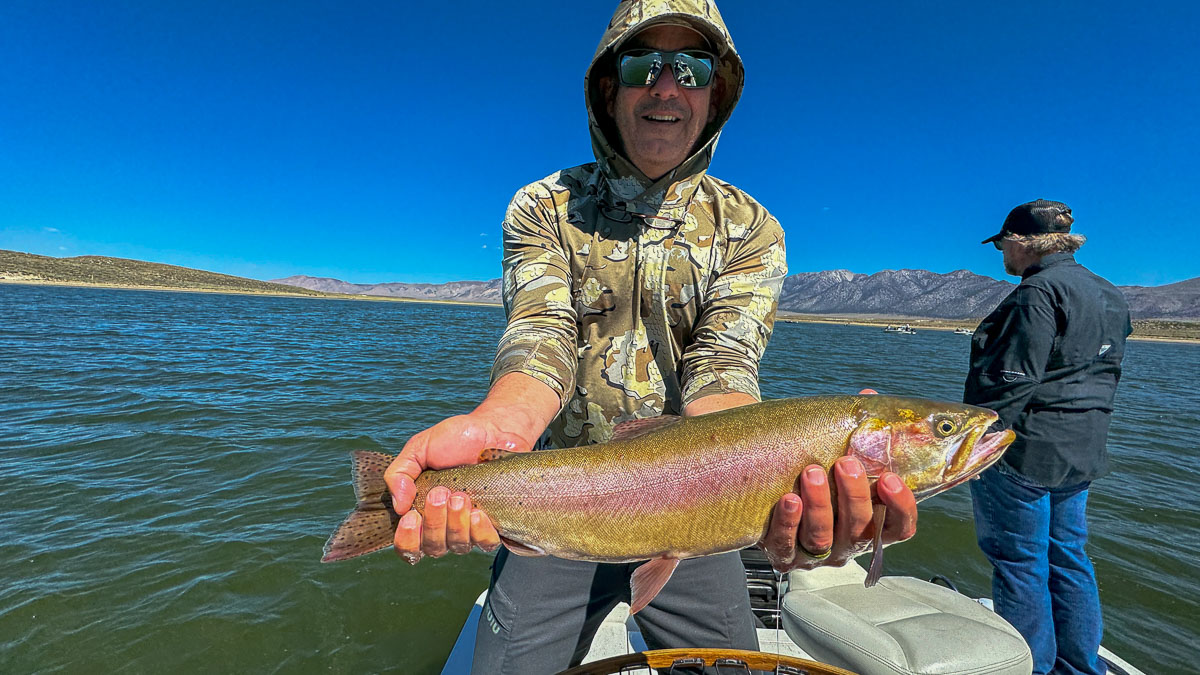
373 525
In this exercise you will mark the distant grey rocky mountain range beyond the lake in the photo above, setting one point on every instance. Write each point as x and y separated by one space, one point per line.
896 294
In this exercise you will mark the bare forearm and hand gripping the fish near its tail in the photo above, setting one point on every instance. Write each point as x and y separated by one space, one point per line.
514 415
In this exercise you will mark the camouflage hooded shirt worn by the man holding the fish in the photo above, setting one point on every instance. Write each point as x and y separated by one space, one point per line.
633 297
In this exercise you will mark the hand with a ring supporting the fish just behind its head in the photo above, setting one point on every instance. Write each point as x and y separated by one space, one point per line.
803 533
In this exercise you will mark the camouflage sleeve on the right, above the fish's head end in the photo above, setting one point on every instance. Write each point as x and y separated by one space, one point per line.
737 314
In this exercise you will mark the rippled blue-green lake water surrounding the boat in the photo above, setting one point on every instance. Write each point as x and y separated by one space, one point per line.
171 465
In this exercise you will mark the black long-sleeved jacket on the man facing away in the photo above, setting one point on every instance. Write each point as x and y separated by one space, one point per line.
1048 360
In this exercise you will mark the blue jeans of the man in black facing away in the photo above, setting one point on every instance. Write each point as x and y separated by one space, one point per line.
1042 581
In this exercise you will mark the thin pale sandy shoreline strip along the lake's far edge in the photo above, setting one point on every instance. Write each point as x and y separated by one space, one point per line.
1190 337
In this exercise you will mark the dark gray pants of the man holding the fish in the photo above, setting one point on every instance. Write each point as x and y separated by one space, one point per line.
542 613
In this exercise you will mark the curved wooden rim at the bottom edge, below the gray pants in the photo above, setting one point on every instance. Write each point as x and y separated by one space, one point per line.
664 660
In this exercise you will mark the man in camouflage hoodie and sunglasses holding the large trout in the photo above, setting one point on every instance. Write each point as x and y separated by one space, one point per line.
637 288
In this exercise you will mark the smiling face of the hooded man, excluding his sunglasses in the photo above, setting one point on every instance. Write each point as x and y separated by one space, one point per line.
659 124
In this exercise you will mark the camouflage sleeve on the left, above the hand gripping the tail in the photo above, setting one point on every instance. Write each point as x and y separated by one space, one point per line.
541 338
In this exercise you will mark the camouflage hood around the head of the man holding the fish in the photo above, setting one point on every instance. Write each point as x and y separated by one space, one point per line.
629 189
